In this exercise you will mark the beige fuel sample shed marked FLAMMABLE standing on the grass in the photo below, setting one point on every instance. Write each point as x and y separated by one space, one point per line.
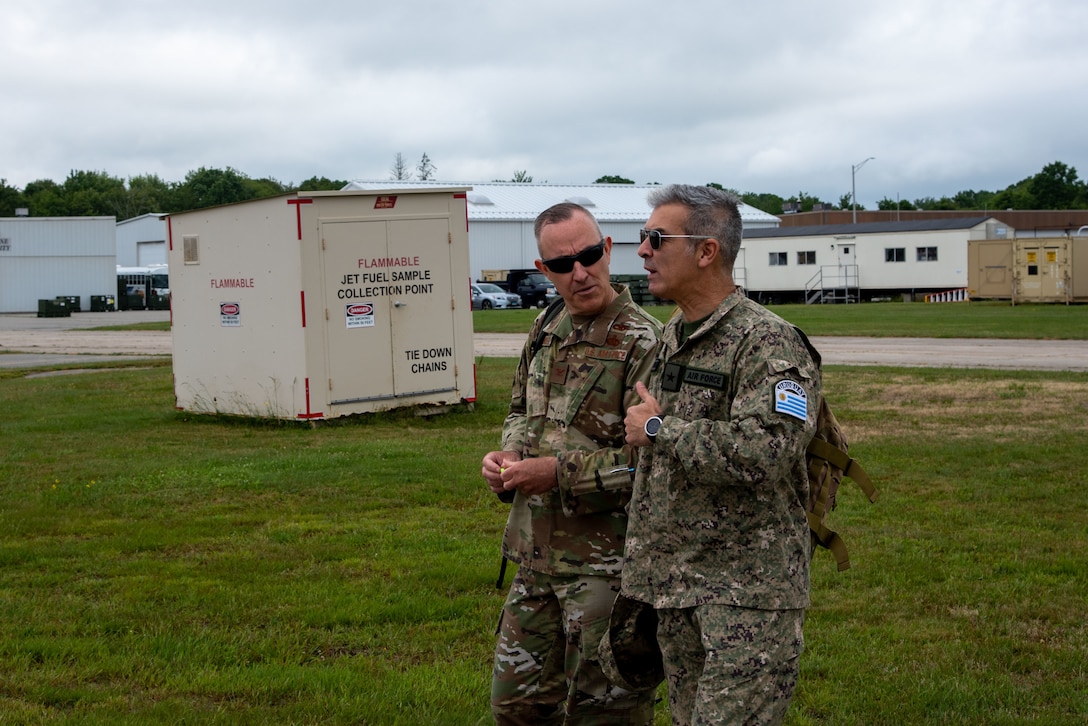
318 305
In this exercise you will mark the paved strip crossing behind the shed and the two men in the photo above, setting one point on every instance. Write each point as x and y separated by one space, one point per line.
60 341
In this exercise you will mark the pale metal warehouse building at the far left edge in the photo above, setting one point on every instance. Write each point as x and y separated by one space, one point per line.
50 257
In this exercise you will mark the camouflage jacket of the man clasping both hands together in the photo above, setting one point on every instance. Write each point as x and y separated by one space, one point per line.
570 401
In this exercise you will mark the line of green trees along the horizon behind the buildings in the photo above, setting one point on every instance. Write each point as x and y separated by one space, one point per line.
101 194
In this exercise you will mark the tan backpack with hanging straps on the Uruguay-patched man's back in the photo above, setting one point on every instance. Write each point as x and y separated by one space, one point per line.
830 461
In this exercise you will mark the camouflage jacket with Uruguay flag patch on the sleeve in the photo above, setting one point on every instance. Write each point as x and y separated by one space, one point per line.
719 510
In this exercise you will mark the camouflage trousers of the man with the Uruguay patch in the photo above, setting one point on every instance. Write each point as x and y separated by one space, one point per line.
731 666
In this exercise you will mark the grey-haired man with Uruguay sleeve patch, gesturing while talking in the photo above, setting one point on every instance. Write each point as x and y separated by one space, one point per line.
718 540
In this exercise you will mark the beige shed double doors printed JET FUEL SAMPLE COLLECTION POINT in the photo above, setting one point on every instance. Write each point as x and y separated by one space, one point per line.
389 304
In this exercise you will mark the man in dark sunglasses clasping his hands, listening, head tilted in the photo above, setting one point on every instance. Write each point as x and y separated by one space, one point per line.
565 461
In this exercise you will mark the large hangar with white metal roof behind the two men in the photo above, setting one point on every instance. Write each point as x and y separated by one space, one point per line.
502 216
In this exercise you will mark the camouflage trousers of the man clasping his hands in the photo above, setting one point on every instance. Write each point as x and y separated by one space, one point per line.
547 669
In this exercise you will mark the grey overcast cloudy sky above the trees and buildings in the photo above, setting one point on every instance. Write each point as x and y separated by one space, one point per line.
770 97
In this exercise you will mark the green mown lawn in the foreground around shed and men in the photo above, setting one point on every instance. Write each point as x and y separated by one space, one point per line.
163 568
